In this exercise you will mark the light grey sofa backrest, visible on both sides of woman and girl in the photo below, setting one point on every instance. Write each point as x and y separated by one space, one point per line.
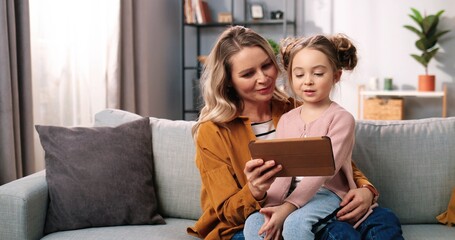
412 163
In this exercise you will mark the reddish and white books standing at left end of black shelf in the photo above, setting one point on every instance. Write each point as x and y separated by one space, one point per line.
197 11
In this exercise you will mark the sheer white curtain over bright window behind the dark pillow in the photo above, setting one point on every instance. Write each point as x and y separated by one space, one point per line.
75 47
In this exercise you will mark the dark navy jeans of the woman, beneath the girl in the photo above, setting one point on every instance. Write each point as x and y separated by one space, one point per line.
382 224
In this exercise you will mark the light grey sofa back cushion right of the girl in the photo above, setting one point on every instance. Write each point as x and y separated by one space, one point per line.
411 163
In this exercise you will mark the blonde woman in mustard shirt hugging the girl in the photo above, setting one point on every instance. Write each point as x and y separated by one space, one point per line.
238 87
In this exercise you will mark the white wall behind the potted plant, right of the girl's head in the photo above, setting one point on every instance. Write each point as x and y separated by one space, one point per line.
384 46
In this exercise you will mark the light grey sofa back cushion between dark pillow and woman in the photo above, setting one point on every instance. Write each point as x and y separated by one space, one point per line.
177 181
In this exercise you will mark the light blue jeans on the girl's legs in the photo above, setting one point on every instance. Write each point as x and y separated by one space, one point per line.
298 225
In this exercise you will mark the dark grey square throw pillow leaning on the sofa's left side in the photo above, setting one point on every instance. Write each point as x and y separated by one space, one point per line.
99 176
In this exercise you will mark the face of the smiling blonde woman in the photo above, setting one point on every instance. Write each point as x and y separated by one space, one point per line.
253 75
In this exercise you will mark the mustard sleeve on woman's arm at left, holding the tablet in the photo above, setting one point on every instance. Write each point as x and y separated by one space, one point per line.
231 202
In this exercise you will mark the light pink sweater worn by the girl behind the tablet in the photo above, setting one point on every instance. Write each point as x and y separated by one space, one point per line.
339 125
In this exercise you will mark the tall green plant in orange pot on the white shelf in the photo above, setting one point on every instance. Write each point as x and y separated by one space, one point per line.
429 35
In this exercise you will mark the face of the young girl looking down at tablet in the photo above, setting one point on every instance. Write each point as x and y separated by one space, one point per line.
313 76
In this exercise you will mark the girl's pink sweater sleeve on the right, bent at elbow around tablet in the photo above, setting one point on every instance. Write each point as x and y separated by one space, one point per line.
341 132
